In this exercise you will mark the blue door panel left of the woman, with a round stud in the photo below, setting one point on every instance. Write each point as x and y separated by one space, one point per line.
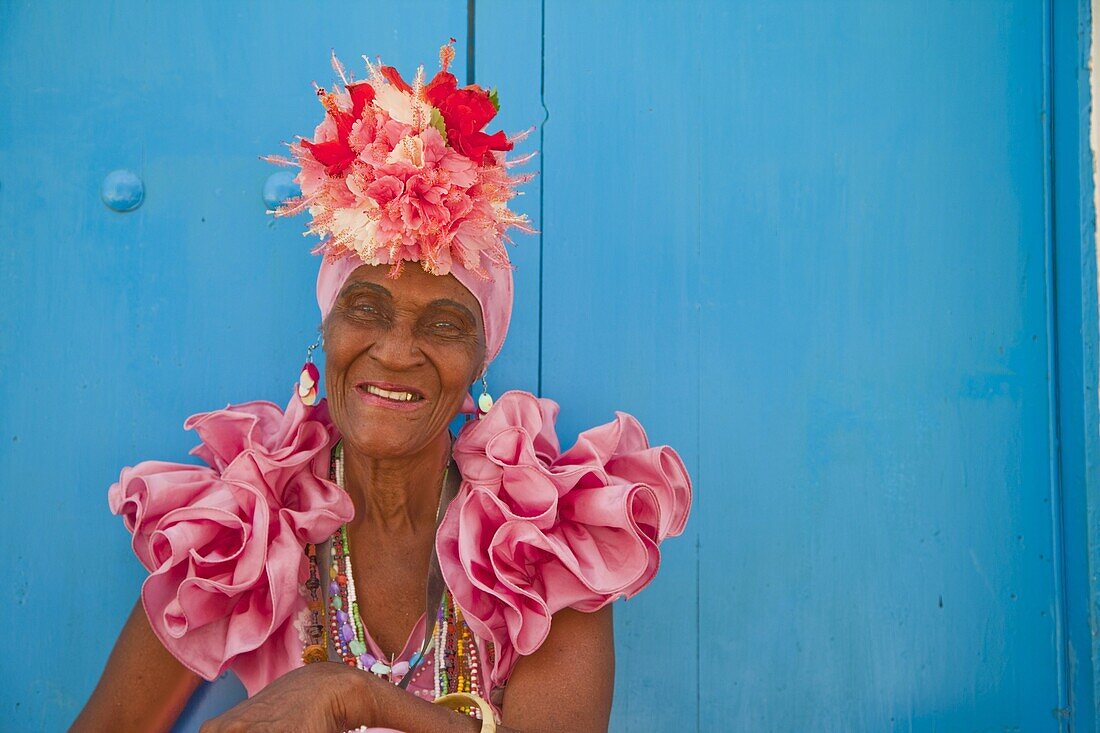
117 327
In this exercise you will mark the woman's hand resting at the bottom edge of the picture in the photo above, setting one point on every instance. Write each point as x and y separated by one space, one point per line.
326 697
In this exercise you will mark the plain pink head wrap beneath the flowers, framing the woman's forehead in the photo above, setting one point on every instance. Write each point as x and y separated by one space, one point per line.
493 296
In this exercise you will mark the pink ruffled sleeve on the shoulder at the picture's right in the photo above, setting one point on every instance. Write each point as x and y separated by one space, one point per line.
534 531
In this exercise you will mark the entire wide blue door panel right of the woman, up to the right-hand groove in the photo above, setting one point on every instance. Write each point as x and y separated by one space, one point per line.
811 237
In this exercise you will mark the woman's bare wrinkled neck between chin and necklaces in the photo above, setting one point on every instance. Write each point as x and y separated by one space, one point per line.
398 494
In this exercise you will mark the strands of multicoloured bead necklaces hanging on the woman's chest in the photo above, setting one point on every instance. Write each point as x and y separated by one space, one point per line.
457 664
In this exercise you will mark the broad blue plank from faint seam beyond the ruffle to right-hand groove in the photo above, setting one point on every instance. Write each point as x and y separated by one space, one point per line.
884 319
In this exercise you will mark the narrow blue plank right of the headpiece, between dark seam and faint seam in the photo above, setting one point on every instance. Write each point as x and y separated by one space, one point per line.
621 293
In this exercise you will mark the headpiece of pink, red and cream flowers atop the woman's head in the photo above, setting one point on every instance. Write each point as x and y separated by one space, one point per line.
401 172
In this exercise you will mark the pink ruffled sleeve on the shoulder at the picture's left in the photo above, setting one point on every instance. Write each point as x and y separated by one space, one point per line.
224 542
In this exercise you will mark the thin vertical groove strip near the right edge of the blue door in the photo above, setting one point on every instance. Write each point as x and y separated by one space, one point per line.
1054 437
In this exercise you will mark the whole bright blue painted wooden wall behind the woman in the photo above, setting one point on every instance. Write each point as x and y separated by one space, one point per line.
822 249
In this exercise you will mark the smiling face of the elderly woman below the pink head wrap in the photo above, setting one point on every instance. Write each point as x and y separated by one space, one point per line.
401 356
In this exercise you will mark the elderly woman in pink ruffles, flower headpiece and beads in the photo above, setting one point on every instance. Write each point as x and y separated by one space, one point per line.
354 563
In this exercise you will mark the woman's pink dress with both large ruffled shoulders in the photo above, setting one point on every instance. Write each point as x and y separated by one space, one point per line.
532 531
